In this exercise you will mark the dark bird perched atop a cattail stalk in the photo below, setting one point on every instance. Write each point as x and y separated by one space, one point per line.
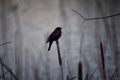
54 36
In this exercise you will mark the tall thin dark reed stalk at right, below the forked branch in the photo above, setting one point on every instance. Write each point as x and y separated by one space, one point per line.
103 61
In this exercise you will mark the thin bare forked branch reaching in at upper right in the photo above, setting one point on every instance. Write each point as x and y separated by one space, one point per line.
104 17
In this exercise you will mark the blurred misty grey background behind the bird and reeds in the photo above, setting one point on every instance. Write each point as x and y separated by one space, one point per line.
28 23
